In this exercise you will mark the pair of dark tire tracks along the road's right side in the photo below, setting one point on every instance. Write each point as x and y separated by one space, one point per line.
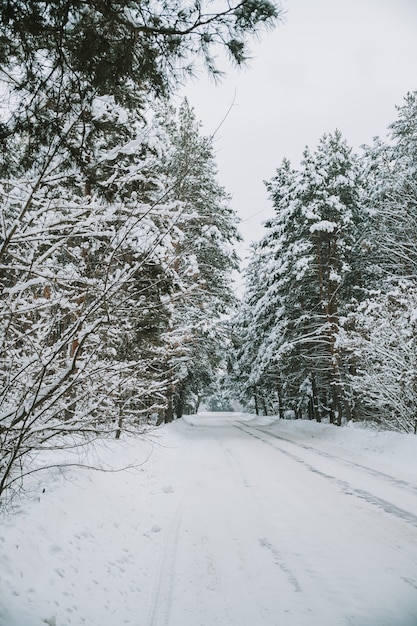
347 489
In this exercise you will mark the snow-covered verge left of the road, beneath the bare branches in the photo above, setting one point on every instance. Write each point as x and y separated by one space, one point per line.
77 545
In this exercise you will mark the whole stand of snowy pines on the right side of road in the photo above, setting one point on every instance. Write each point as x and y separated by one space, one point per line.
328 324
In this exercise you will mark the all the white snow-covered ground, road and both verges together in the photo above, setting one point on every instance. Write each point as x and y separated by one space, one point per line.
227 520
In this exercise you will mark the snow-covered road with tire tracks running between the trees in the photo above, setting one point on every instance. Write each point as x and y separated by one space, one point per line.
271 531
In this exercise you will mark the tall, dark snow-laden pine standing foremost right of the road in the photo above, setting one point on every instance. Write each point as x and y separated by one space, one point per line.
307 279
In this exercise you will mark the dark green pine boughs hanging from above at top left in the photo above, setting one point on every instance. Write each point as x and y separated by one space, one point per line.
58 57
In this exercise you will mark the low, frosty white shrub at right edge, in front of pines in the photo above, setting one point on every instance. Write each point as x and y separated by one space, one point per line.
381 337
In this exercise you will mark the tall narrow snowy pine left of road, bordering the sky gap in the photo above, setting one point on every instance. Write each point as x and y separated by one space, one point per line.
204 259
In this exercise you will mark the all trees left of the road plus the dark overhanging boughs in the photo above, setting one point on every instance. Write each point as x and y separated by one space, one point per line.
113 255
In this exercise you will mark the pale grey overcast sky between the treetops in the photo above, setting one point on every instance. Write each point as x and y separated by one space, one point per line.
331 64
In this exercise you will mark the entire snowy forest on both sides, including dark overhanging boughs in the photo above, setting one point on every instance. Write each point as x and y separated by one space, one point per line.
117 243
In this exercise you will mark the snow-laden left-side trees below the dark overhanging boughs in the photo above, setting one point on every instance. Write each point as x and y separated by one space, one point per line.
112 287
